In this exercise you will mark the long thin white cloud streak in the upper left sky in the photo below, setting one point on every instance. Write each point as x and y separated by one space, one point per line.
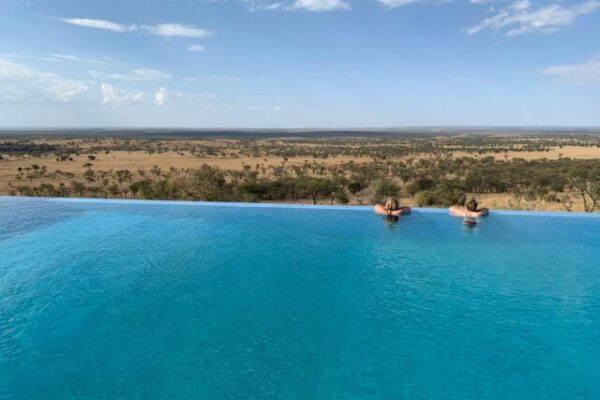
164 30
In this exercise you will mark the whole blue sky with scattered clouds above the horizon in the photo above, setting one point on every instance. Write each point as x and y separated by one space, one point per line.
299 63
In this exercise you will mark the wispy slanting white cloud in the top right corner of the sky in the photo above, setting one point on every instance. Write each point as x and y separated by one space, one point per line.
519 18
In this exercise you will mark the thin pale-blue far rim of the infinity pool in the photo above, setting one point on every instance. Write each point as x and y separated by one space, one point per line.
288 206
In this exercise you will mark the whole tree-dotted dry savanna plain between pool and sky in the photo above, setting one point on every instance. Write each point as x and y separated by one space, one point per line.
557 171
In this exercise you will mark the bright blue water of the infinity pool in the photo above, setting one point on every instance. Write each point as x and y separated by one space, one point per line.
142 300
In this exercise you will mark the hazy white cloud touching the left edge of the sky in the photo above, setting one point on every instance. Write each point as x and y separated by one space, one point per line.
21 83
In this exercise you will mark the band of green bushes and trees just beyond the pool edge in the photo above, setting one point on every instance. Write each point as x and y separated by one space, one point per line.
437 181
